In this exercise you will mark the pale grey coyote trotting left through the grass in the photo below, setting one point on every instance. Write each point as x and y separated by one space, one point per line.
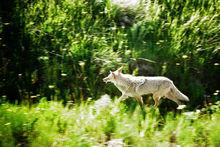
136 86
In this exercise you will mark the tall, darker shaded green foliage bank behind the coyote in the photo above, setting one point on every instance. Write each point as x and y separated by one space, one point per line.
61 50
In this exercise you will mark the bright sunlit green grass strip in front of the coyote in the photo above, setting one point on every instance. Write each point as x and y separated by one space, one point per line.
98 123
